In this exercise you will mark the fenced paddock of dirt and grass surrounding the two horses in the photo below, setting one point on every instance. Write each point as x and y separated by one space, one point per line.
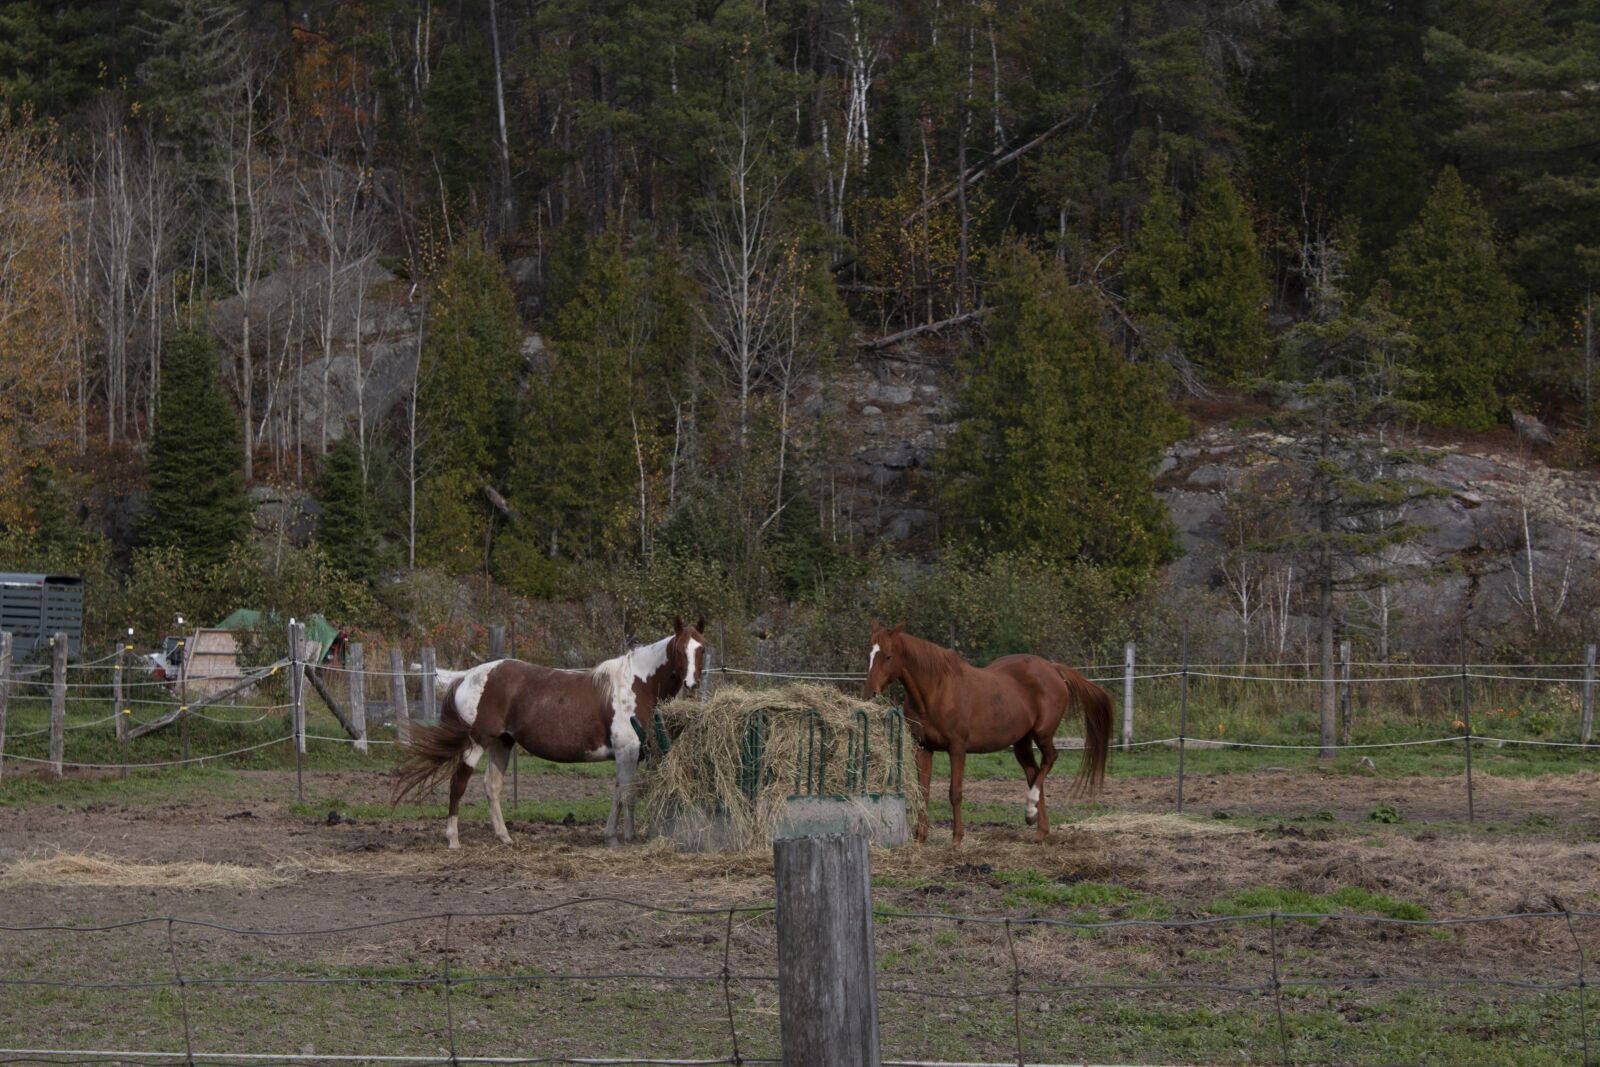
265 905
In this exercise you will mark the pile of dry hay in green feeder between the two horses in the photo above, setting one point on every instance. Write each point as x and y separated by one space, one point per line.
702 770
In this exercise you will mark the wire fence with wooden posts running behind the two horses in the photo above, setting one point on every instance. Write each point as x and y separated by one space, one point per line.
105 717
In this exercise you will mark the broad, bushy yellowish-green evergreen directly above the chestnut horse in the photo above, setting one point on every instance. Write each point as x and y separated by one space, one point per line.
1058 434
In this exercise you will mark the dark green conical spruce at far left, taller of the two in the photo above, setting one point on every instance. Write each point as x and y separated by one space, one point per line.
198 502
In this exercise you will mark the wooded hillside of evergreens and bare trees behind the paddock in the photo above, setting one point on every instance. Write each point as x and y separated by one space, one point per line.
430 316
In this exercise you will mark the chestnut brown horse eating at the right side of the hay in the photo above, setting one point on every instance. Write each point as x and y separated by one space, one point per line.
1015 703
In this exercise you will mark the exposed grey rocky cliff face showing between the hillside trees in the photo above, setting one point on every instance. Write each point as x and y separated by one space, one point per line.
1503 516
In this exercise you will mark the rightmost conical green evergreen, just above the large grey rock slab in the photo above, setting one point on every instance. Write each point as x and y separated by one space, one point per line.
1458 305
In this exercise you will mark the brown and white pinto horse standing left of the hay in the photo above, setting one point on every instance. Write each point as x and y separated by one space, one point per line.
569 717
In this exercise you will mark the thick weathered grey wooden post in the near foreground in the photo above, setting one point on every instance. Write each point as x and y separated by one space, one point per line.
828 997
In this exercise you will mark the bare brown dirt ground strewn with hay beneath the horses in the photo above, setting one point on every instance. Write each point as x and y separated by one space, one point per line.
1535 850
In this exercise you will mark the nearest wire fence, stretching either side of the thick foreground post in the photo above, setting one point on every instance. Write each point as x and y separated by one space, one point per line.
455 967
